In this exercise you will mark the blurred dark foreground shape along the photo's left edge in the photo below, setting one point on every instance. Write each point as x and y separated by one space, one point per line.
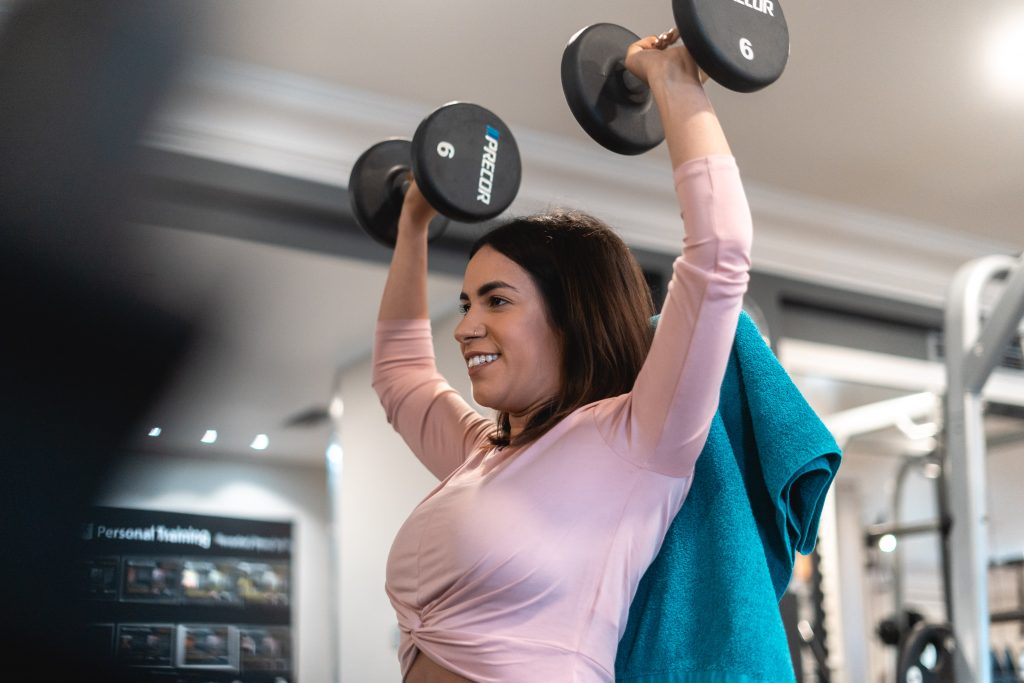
80 360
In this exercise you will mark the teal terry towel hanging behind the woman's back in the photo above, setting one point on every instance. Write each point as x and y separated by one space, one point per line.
707 610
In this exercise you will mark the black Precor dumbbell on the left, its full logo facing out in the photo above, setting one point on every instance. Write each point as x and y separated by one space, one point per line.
463 158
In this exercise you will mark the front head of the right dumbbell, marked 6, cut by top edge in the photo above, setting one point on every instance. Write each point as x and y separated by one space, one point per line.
742 45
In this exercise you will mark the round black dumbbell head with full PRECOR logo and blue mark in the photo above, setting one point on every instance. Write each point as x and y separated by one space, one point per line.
466 162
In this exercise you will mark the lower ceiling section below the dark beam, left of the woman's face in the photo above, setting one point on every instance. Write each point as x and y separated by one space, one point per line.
275 324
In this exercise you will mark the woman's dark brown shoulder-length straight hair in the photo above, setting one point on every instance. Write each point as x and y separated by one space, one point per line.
598 302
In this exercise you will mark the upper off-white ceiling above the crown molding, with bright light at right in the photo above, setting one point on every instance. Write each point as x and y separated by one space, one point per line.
883 105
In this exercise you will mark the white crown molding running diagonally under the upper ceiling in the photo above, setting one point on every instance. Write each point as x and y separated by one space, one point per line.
289 124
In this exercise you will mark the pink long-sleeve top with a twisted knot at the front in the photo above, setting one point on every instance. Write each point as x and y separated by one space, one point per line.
522 564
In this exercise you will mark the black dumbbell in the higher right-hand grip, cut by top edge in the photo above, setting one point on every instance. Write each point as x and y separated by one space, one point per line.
741 45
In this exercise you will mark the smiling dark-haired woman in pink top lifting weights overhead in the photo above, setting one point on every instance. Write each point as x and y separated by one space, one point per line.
522 565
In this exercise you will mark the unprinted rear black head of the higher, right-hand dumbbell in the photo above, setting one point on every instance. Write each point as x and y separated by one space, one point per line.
594 80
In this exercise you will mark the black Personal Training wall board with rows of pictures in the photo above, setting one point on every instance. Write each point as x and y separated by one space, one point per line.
168 595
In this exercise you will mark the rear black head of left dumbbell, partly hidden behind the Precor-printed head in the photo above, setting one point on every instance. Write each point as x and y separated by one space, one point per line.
376 191
